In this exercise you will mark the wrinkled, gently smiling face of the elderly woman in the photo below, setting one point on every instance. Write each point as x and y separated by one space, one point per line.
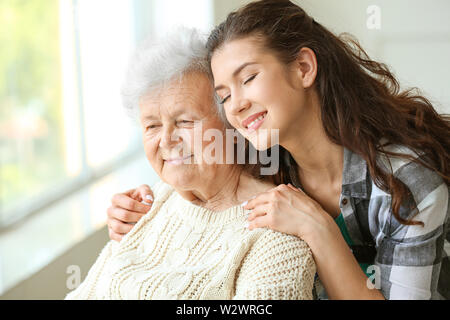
171 120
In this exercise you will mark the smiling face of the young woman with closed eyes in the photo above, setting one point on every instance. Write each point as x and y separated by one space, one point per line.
260 94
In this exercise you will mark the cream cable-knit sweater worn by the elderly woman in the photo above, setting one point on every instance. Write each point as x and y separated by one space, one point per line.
182 251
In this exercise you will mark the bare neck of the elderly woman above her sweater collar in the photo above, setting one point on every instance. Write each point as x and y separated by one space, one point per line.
226 191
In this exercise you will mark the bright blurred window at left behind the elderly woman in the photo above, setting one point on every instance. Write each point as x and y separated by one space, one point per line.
61 120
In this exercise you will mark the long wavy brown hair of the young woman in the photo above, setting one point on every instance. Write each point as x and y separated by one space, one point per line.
361 100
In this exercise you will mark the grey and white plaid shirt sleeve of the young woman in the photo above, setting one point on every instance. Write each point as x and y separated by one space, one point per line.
409 256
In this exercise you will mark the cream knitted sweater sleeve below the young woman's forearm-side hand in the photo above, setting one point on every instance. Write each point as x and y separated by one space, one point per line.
278 267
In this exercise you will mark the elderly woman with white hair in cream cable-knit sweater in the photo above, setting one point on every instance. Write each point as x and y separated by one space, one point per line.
193 243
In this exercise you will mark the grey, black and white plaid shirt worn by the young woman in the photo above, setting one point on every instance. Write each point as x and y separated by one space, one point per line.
412 261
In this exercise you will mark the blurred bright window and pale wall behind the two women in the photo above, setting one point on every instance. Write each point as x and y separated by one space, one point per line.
66 145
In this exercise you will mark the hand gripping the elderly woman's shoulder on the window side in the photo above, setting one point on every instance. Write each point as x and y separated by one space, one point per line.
126 209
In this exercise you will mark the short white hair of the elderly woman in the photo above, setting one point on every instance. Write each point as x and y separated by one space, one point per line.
158 63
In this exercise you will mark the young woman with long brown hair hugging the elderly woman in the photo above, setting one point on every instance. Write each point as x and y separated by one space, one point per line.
363 164
